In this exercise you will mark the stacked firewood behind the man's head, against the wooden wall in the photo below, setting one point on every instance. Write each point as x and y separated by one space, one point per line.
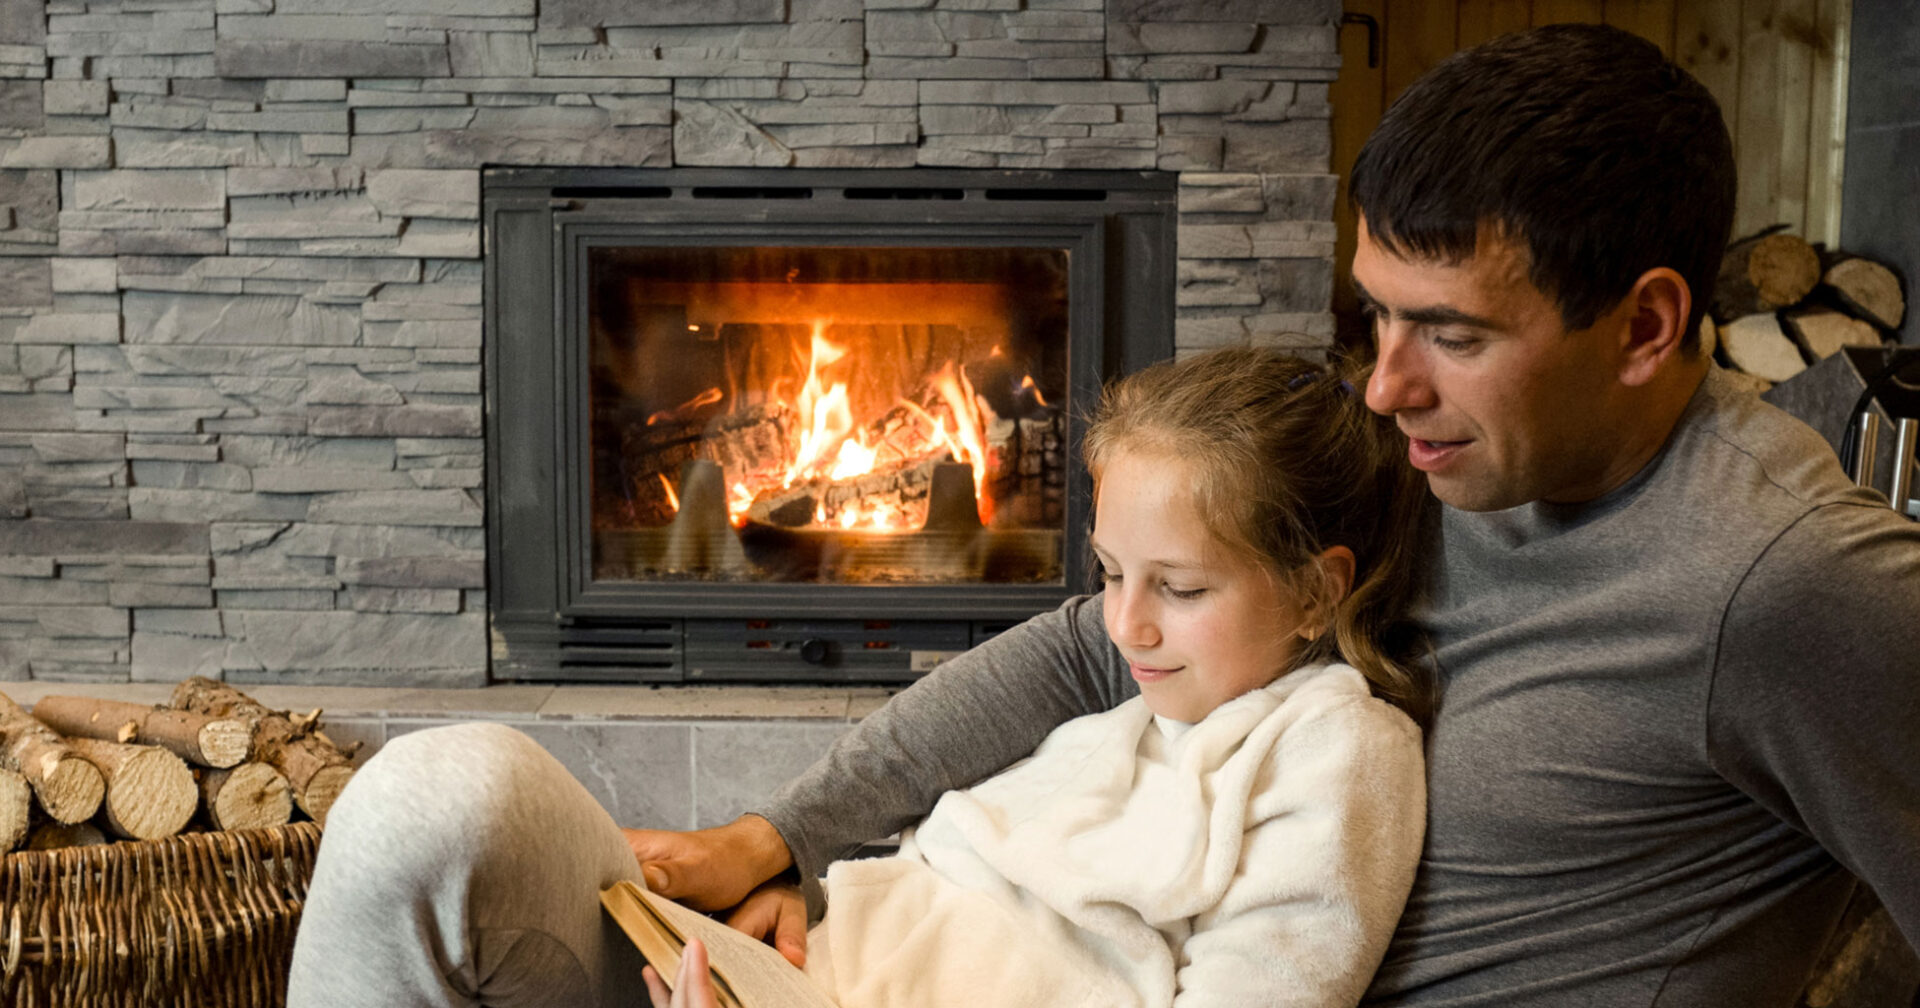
1783 304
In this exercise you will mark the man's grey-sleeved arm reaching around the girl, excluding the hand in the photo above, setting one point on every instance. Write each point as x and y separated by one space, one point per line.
969 719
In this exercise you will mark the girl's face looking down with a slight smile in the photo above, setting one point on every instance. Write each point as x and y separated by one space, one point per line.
1197 625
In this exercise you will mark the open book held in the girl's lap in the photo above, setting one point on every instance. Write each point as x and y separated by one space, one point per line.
748 974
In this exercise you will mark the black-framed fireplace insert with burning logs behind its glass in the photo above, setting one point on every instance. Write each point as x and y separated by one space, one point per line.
800 425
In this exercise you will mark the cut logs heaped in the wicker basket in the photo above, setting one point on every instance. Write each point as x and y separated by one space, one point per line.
82 771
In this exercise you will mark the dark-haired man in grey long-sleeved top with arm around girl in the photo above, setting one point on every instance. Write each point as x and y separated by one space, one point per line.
1679 654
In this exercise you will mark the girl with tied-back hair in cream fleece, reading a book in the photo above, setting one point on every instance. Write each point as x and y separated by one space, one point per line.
1245 830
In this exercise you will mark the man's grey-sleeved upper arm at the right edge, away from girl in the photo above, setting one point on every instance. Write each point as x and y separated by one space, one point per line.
1817 694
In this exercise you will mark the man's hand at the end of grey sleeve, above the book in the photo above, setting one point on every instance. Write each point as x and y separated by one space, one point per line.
711 869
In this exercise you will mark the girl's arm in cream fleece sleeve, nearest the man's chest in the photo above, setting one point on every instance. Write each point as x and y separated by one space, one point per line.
1326 867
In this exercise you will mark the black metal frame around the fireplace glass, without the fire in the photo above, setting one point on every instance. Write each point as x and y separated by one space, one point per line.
554 621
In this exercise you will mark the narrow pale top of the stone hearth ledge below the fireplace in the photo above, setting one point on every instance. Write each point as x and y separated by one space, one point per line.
517 702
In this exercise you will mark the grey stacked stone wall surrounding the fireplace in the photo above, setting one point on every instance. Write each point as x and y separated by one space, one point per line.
241 279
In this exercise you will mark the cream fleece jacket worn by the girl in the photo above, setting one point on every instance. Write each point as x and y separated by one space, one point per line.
1259 857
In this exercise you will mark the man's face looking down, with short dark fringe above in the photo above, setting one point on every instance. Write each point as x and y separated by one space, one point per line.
1500 402
